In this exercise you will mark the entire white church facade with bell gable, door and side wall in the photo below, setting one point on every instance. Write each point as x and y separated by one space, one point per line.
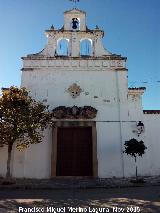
86 86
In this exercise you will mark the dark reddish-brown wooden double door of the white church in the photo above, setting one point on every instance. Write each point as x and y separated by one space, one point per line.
74 151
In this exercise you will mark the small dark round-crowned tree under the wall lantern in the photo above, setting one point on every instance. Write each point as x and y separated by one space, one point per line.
135 149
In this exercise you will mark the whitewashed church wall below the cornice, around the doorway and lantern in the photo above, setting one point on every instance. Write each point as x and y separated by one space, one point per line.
51 85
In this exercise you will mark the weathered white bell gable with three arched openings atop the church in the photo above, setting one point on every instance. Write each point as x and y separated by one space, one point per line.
74 37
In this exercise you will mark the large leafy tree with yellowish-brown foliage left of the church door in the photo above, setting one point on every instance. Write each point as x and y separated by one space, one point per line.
22 120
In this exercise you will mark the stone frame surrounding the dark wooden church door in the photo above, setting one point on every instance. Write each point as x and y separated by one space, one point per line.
58 124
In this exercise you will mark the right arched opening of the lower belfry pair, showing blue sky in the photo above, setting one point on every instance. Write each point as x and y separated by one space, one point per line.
86 47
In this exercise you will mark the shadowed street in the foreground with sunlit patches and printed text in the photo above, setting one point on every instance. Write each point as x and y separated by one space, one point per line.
141 199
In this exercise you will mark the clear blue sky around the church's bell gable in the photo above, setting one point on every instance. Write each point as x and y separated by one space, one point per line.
131 28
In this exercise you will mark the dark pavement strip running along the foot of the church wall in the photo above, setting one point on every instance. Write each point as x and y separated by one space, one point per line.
76 183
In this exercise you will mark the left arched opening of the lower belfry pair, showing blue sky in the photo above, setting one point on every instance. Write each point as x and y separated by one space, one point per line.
63 47
